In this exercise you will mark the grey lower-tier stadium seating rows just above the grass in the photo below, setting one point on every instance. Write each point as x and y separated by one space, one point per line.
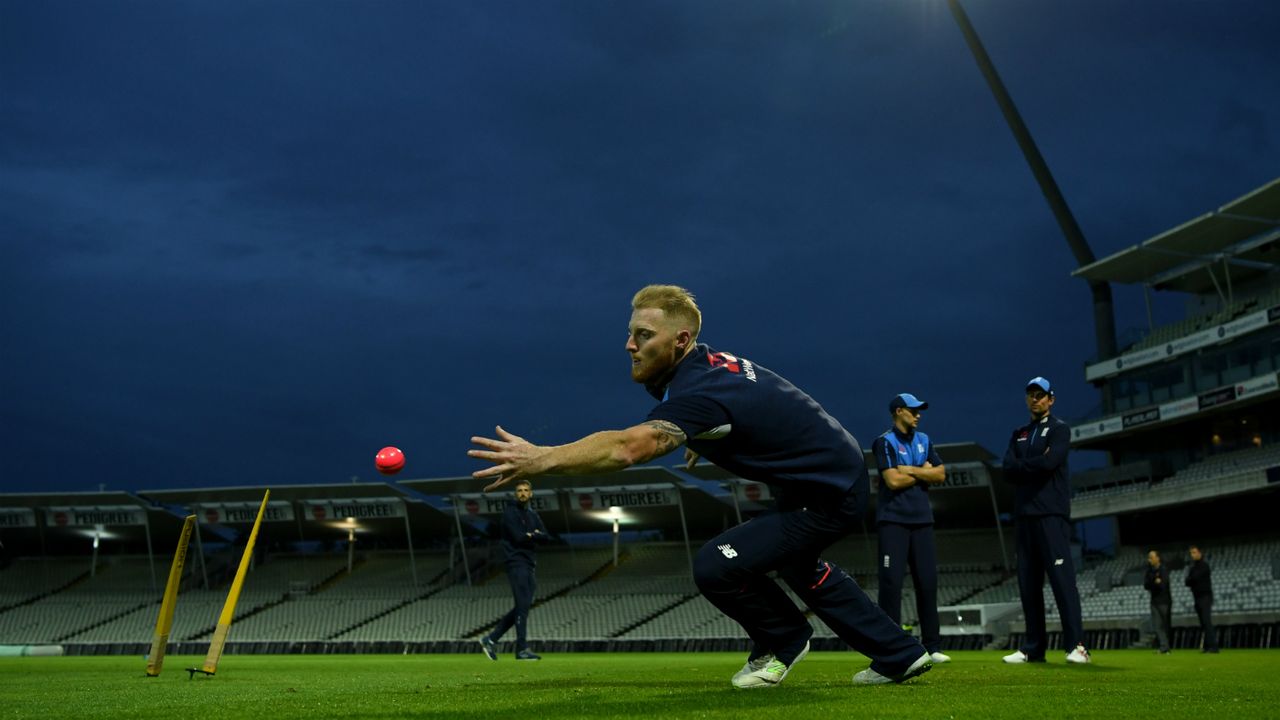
582 596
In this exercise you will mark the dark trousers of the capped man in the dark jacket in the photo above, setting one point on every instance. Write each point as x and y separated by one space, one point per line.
1045 549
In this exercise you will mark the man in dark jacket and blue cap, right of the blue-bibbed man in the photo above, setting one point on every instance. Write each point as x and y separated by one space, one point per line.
1036 463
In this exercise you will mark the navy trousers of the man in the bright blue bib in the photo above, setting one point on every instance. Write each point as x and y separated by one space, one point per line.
911 546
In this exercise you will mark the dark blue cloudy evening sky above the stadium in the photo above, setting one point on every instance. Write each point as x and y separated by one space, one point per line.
253 243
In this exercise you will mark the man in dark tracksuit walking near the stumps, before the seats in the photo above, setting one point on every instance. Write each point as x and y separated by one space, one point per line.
522 531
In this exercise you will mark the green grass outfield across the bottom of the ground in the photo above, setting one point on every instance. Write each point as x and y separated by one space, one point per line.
1242 683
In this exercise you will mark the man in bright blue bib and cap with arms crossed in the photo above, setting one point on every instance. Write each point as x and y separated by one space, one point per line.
904 518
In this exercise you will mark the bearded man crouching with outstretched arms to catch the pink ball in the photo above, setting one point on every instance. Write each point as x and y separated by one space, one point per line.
758 426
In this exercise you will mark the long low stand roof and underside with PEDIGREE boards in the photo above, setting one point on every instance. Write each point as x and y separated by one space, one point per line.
420 513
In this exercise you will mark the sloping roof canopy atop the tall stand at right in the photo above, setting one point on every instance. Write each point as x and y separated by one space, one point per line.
1236 243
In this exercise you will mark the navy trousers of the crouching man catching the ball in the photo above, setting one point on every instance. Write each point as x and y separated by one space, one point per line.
733 569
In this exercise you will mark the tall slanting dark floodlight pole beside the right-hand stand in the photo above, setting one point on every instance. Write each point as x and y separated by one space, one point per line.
1104 313
